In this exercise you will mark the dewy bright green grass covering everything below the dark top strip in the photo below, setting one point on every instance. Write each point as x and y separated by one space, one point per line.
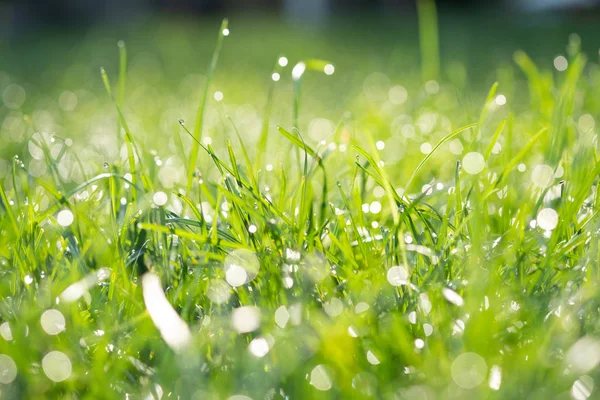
312 237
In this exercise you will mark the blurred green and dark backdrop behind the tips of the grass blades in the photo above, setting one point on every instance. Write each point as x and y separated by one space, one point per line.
51 51
